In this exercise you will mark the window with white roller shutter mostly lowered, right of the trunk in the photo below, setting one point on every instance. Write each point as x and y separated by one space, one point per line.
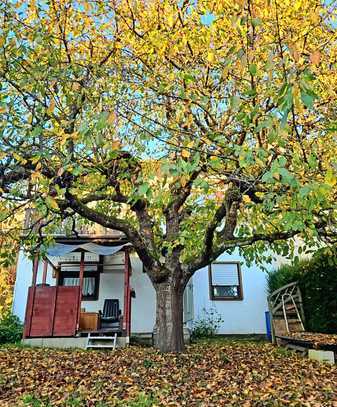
225 281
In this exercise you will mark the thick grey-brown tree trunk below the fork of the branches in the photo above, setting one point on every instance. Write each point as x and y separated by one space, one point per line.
169 317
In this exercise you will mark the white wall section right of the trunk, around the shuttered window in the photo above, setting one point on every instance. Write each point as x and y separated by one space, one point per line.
240 317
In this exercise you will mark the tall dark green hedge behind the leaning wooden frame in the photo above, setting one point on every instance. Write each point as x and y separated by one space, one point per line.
317 280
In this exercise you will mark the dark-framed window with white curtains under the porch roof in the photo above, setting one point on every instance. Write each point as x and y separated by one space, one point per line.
69 276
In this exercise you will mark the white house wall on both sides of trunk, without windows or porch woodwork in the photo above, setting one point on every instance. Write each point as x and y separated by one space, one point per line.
240 317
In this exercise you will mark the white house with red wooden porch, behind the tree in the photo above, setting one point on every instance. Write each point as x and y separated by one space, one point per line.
46 295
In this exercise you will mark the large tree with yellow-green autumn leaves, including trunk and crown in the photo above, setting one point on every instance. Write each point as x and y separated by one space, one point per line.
194 127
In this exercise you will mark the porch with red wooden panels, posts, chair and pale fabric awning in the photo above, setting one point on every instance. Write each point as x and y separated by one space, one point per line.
84 290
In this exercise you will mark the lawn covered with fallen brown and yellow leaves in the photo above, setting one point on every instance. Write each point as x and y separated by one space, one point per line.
208 374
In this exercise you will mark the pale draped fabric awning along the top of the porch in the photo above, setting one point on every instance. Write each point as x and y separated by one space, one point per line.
60 249
